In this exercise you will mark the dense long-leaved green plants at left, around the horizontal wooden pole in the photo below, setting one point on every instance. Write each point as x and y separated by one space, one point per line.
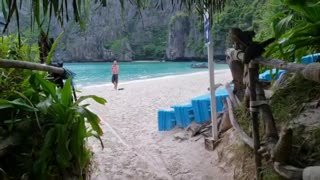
42 131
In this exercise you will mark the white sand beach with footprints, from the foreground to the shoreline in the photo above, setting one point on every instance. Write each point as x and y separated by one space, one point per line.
134 148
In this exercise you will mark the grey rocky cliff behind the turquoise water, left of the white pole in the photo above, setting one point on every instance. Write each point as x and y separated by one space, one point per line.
127 35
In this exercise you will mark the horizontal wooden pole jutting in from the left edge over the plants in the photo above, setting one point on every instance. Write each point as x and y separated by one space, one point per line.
5 63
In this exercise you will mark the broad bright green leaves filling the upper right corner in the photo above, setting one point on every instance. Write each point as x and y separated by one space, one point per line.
296 28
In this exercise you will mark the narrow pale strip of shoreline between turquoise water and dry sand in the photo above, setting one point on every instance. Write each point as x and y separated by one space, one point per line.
152 79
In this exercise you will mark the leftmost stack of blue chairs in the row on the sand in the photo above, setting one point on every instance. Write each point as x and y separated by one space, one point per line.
166 120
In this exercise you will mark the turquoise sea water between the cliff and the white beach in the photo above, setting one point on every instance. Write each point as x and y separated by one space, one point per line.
100 73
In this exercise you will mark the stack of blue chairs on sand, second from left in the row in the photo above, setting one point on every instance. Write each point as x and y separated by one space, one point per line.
184 115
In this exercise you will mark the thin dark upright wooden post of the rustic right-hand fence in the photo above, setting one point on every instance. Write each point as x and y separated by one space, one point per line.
253 79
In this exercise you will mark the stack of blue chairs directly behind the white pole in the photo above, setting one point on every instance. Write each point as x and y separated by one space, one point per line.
201 105
